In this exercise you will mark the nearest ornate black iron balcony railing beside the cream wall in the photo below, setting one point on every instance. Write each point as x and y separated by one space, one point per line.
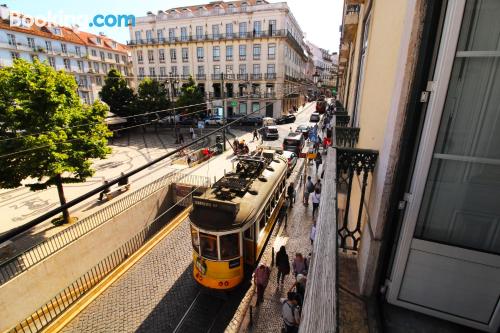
351 162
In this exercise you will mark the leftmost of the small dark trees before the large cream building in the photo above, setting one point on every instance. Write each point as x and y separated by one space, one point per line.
118 95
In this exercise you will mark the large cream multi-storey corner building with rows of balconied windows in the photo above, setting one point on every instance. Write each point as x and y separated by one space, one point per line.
250 51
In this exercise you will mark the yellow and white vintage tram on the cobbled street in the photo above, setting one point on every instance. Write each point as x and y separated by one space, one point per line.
231 221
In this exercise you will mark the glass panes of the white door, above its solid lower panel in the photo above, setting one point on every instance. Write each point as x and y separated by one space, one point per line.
461 202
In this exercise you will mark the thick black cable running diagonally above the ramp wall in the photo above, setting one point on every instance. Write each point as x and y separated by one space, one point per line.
16 231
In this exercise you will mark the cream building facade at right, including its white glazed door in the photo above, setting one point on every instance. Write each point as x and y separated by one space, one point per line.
419 83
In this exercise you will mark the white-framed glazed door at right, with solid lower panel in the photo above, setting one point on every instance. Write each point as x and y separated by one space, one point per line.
448 258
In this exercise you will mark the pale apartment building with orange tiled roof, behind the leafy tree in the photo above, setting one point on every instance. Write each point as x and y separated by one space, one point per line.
86 56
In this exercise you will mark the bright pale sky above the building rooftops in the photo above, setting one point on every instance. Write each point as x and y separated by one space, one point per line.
319 19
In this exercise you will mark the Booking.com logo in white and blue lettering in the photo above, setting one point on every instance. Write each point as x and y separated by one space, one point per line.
18 19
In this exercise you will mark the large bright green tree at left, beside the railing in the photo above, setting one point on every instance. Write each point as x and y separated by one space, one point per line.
49 136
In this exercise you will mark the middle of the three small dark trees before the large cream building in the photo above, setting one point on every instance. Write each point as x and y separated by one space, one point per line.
152 96
